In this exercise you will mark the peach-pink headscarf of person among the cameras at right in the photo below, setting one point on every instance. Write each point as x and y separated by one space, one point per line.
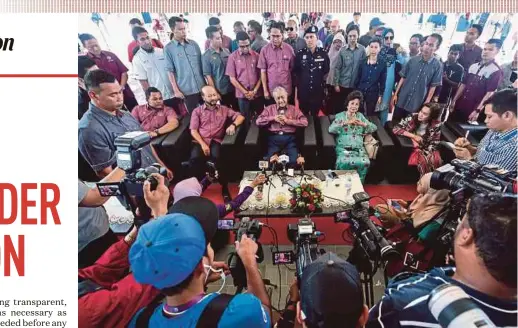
428 203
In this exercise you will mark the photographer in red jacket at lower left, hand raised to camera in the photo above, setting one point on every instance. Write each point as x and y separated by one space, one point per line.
108 295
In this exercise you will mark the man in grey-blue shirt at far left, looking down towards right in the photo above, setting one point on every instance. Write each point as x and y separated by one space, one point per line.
104 122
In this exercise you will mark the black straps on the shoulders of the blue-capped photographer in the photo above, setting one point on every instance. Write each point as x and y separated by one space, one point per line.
209 318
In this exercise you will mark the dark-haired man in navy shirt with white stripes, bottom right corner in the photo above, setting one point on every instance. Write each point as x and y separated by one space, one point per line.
485 253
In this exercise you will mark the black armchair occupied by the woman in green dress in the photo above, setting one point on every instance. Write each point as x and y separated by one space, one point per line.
378 166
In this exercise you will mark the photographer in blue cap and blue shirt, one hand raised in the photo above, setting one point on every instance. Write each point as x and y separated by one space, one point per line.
173 254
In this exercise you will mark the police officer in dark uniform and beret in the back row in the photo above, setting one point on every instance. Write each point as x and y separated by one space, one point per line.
311 69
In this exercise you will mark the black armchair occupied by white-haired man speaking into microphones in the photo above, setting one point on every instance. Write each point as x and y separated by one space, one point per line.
256 145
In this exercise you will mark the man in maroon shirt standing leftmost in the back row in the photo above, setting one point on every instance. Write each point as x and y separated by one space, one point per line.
109 62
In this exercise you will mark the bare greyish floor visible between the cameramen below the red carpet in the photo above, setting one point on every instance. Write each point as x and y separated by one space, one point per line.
287 274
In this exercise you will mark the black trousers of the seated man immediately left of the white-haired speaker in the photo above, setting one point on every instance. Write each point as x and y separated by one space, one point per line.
199 163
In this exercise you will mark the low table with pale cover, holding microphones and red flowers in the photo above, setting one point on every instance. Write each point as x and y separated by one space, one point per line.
341 196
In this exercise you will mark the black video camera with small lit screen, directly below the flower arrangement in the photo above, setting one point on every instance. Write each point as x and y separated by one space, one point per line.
304 237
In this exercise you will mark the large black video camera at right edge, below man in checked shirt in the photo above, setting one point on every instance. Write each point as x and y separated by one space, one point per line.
472 178
